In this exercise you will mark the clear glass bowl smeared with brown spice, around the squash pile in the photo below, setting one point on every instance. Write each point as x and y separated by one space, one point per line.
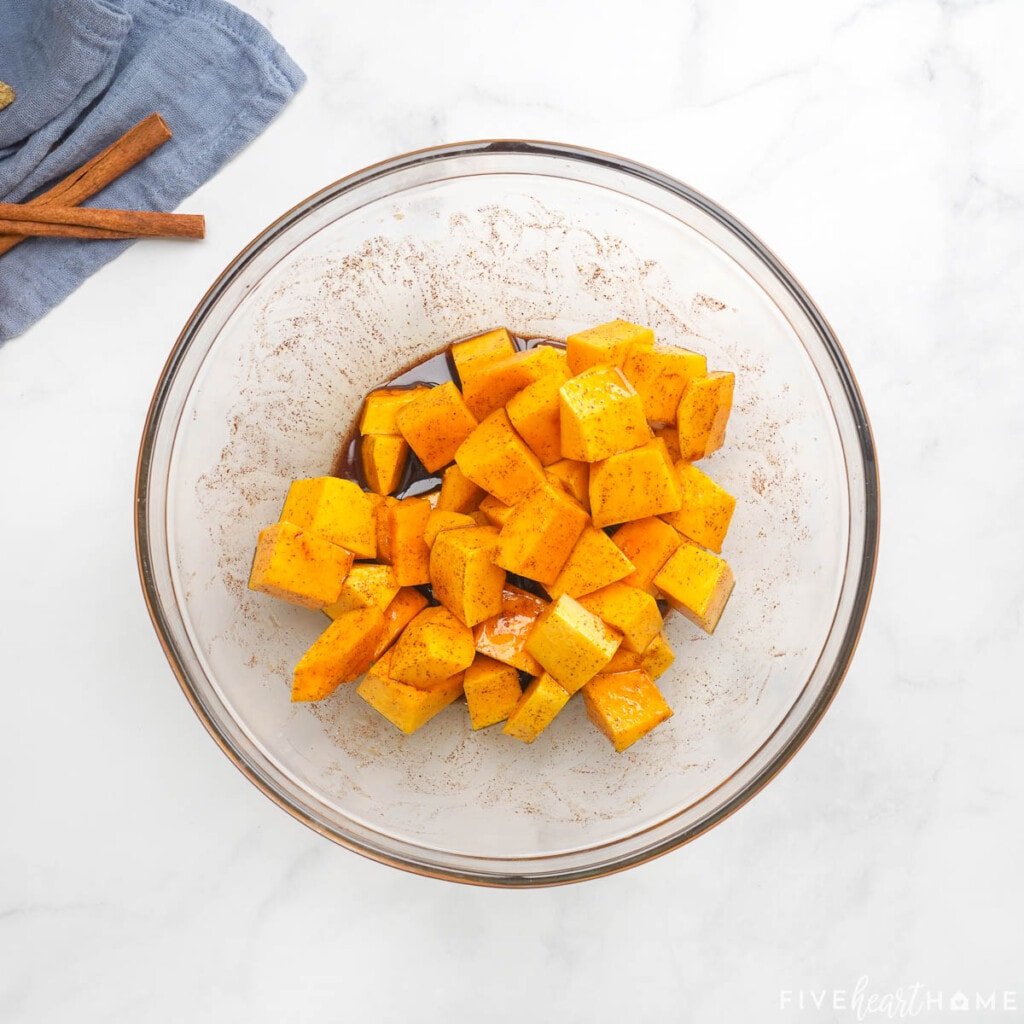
386 268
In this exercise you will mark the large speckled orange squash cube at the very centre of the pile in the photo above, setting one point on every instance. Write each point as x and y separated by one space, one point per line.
540 534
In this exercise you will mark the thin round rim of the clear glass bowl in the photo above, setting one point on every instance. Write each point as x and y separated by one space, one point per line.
867 447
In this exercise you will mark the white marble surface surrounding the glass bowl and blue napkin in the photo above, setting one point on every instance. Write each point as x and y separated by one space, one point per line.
879 148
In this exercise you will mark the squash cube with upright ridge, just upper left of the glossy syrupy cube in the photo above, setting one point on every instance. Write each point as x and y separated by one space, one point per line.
464 576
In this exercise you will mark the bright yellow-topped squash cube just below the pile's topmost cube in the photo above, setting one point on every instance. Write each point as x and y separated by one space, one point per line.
601 415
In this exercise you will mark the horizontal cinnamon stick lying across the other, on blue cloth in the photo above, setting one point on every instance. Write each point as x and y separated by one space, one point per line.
88 223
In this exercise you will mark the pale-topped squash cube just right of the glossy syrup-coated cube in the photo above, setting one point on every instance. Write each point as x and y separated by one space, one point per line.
572 644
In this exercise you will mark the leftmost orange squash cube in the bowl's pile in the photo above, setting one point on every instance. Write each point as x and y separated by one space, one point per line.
298 567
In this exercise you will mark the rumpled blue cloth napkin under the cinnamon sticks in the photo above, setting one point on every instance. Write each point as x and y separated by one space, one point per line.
86 72
